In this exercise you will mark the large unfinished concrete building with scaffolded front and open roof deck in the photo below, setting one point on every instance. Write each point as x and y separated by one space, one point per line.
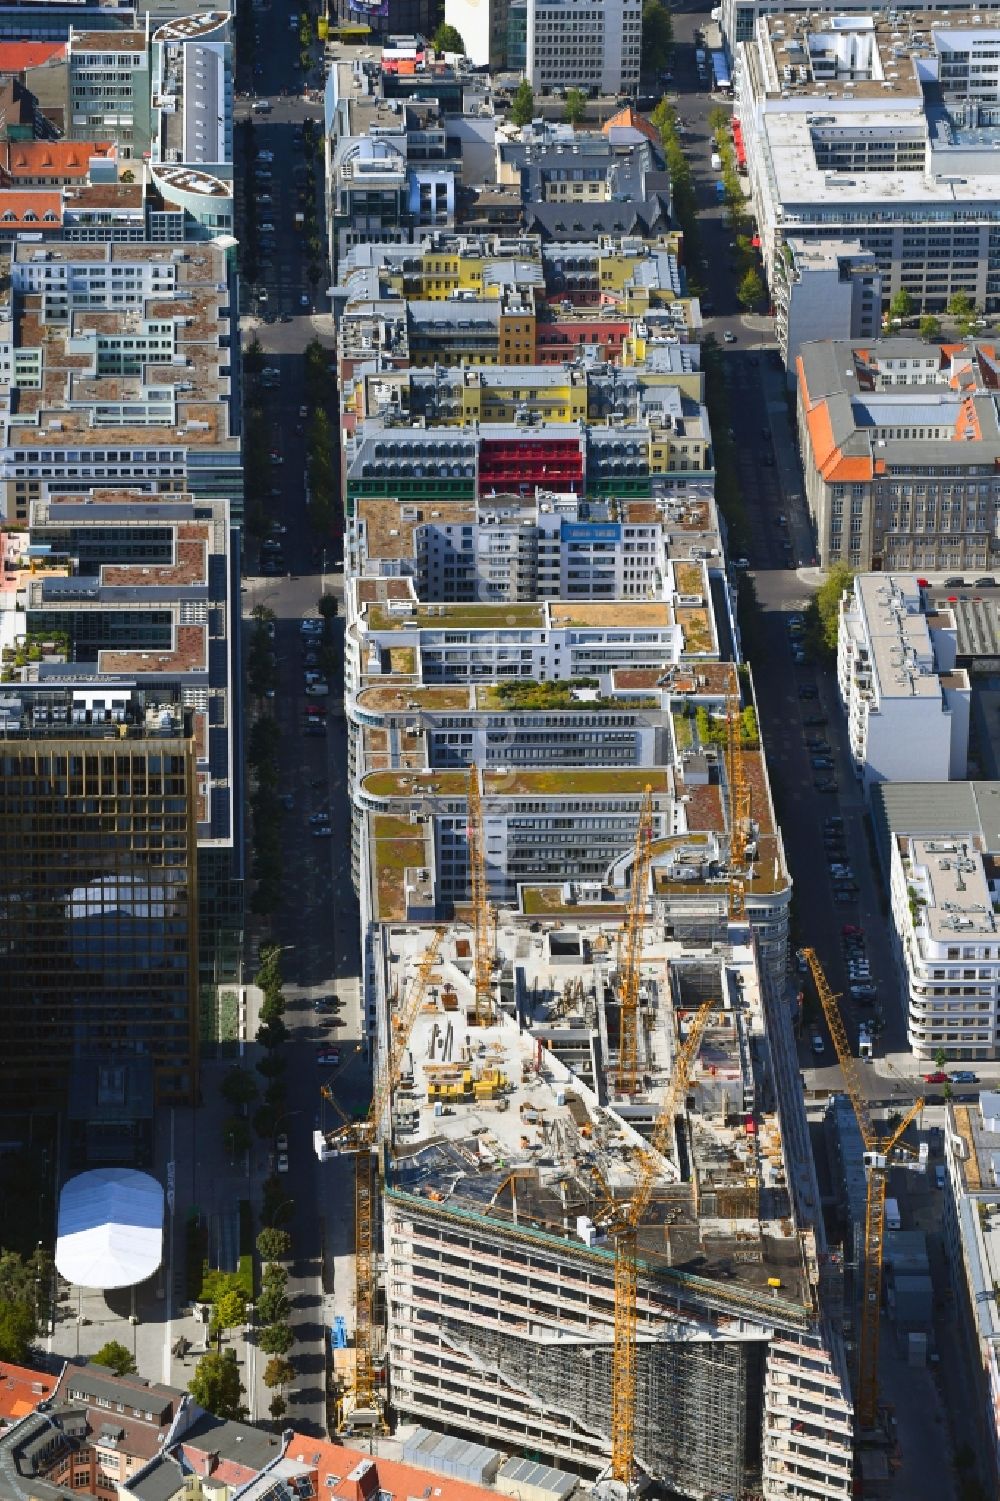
499 1284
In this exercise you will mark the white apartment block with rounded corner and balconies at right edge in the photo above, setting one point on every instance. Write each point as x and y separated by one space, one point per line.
944 897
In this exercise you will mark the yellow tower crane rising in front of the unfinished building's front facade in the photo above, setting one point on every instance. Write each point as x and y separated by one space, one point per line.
622 1223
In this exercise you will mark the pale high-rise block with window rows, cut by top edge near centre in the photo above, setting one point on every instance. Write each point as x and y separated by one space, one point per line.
583 44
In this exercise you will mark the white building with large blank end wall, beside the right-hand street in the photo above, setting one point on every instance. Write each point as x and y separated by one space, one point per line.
905 699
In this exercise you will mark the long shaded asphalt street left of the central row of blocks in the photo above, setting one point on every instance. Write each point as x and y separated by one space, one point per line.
318 924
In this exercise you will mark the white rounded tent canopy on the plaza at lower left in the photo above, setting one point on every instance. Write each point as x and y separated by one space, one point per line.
110 1229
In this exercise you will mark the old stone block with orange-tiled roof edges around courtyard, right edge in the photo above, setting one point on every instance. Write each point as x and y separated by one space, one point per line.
900 444
